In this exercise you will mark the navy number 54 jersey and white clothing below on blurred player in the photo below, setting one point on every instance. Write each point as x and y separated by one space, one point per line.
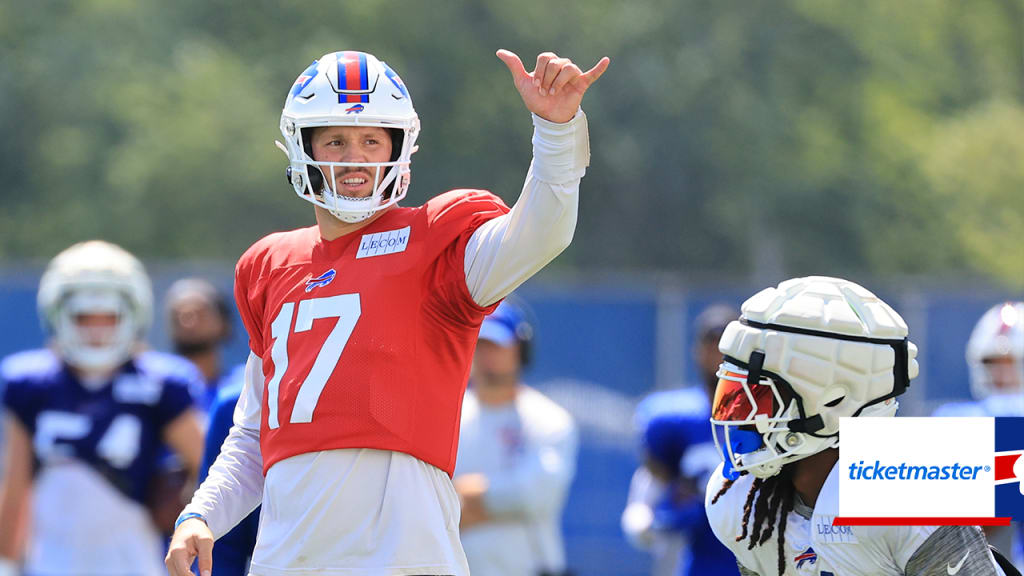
96 451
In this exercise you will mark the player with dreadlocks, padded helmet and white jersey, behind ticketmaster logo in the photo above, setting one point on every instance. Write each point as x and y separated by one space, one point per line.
803 356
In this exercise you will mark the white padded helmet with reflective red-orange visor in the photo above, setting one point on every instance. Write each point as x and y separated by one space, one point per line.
801 357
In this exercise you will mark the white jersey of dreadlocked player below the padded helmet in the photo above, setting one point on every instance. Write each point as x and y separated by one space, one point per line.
815 547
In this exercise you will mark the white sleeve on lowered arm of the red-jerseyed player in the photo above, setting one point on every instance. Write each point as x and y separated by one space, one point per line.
235 485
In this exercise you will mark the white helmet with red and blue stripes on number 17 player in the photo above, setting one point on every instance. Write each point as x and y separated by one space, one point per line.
349 89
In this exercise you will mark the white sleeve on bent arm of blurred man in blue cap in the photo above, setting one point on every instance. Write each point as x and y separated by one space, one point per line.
539 485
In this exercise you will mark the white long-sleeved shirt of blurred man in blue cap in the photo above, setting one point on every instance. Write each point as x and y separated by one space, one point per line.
528 450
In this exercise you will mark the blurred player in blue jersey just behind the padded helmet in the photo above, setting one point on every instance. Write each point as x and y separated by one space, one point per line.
665 510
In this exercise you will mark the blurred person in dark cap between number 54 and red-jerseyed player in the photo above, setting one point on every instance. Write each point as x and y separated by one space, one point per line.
200 322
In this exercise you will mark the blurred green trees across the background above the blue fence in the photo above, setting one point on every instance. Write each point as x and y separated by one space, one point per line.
775 139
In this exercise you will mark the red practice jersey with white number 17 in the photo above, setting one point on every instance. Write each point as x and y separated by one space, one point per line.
367 341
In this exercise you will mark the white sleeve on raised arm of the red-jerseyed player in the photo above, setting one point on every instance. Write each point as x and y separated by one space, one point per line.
505 252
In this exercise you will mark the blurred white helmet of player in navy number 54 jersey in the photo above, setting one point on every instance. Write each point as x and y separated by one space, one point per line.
96 277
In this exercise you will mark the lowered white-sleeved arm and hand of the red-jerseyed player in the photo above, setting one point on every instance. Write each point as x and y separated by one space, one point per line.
233 489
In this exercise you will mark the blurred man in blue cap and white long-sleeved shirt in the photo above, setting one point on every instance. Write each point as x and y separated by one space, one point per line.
518 455
